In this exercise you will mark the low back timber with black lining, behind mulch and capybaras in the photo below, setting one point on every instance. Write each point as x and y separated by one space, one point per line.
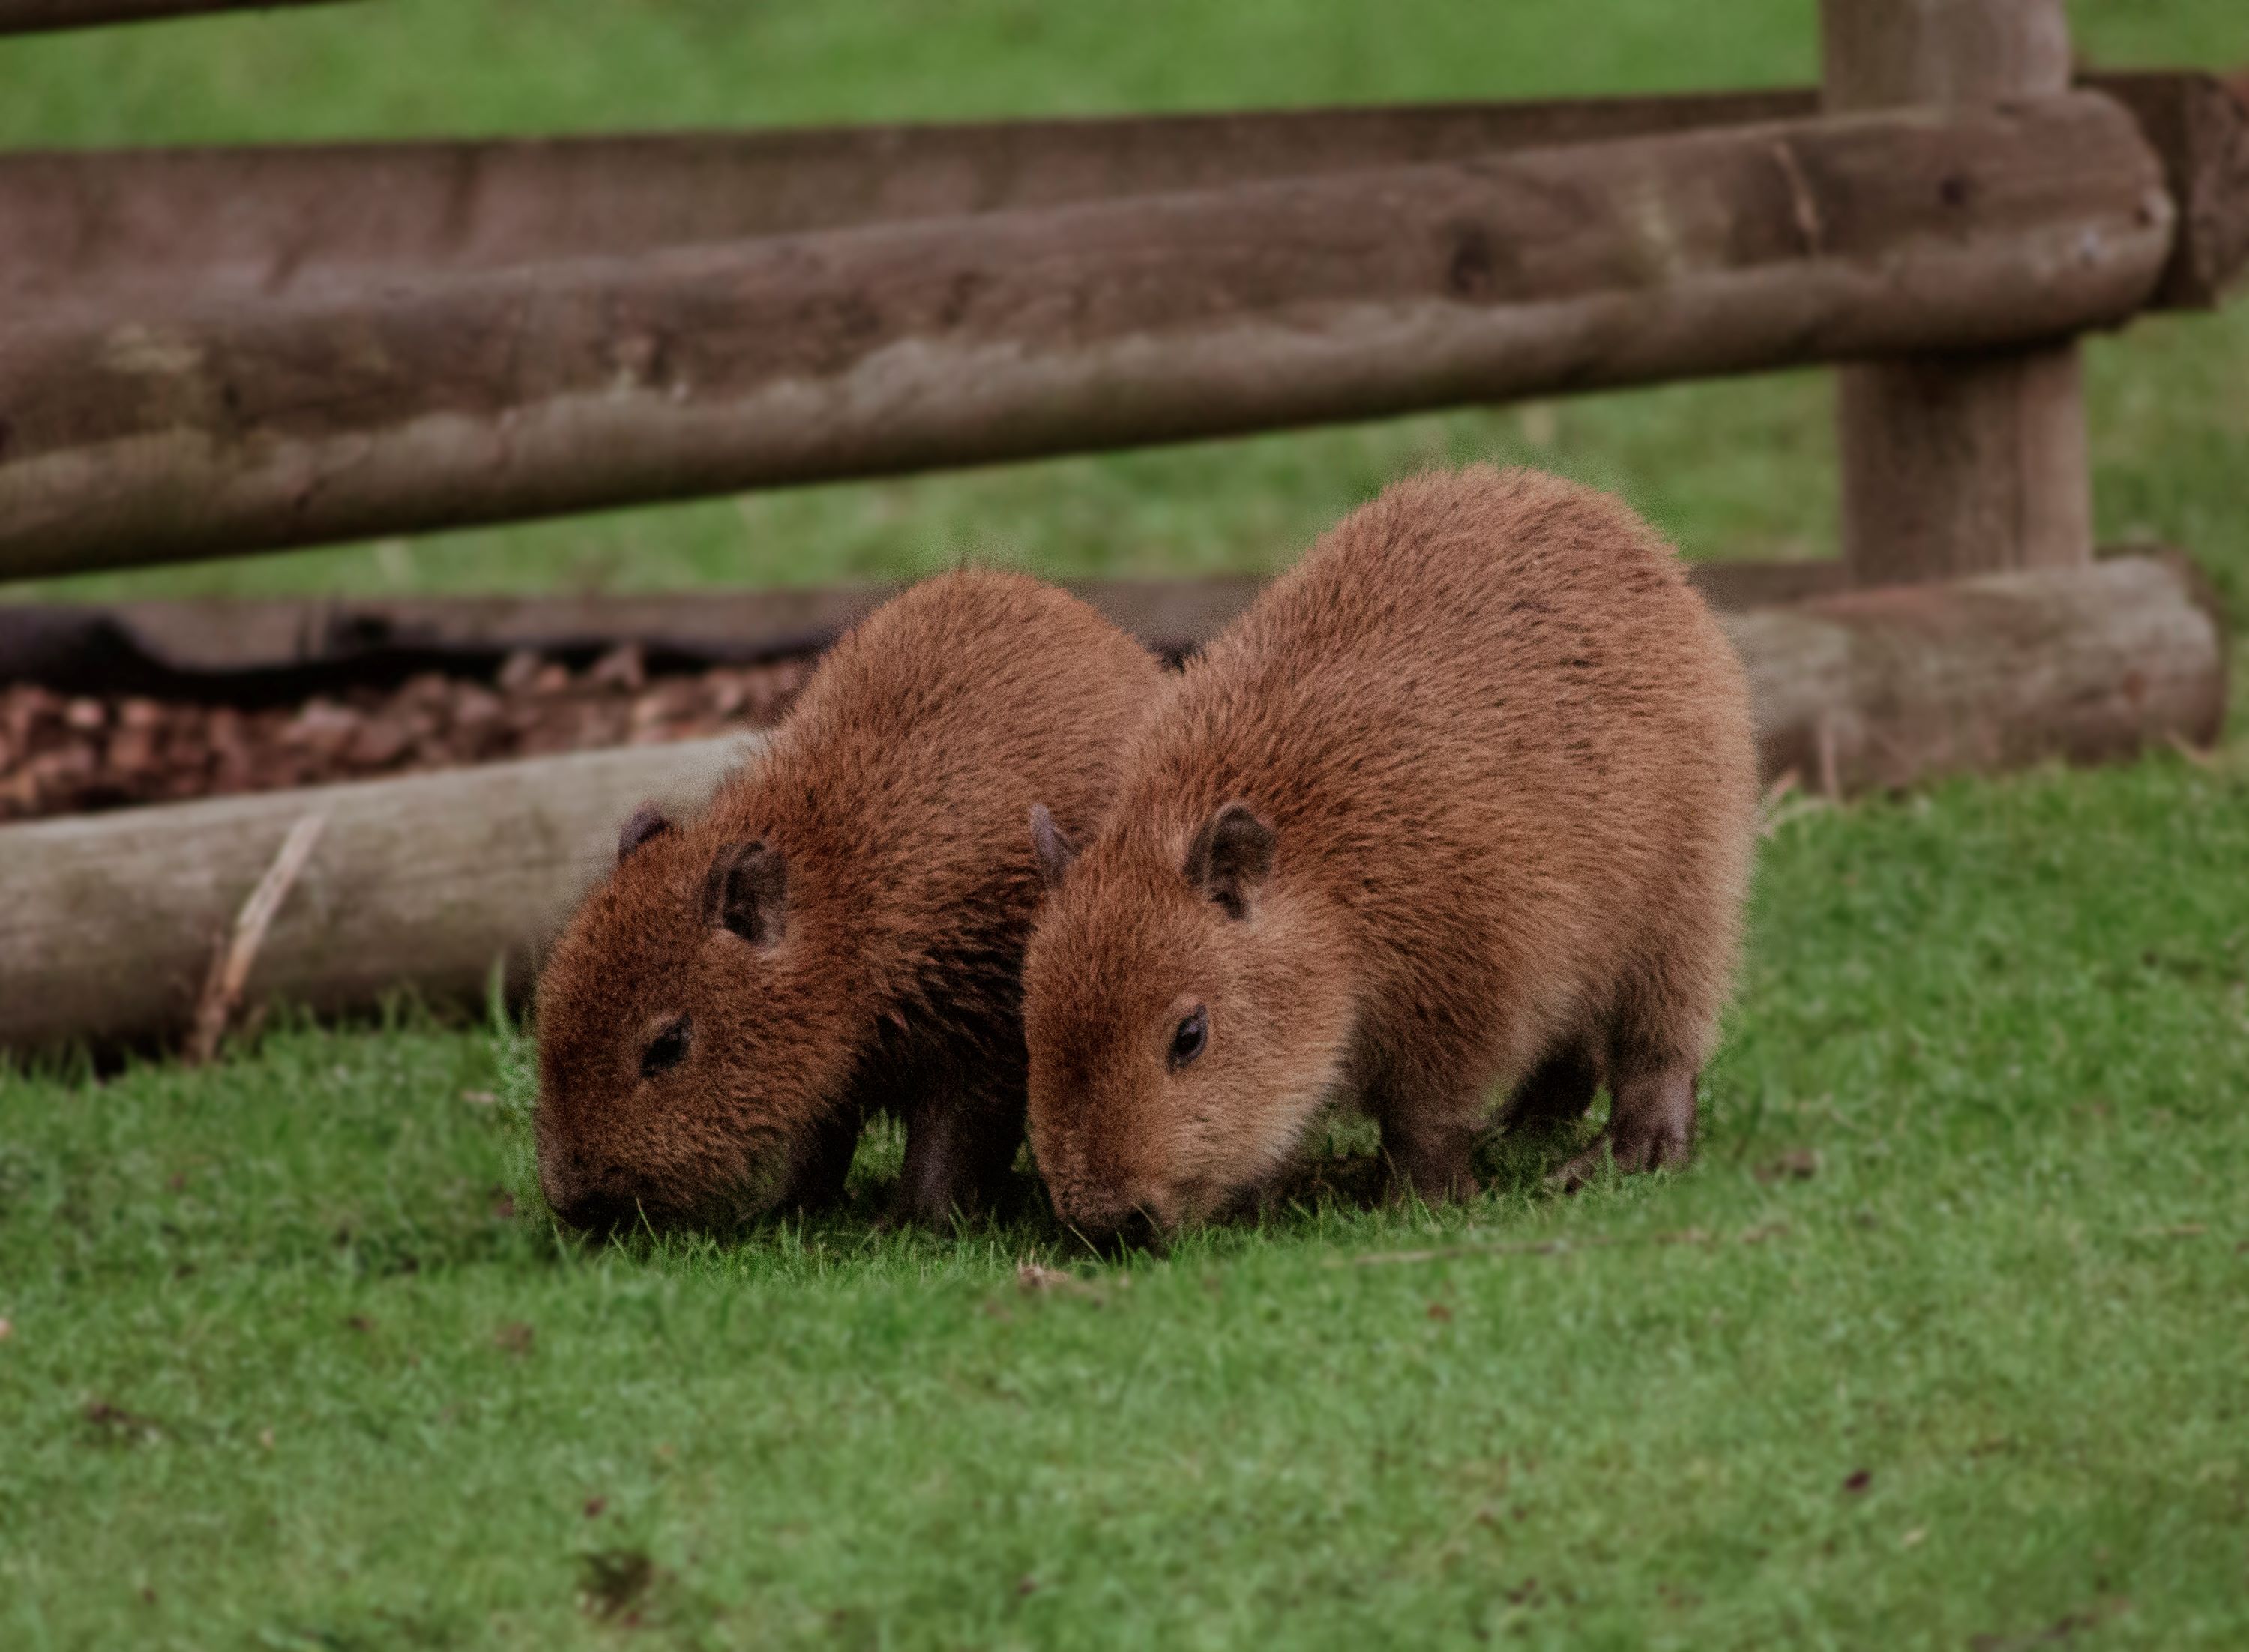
201 648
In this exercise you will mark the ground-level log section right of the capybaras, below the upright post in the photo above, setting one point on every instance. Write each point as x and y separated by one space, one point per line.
1886 689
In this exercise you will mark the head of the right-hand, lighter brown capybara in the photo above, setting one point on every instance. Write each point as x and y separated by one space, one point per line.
1189 1015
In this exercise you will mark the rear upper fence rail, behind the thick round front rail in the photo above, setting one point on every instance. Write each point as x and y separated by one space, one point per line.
159 228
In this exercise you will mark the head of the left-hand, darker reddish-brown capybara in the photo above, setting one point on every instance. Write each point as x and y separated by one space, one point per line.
685 1035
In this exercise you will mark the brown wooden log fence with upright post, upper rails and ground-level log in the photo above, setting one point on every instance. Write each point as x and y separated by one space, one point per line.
226 352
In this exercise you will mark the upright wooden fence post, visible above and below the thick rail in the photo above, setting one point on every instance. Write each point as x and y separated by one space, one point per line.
1958 464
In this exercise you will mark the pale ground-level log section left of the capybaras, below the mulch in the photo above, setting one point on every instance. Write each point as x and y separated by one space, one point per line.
109 923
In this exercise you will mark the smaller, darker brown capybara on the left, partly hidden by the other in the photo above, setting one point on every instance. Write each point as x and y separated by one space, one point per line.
842 927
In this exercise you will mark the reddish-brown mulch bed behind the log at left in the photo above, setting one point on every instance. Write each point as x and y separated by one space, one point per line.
64 754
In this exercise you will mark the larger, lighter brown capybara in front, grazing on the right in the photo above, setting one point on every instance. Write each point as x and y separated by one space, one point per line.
1499 783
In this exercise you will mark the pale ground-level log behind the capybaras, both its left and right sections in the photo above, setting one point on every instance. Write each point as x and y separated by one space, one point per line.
109 923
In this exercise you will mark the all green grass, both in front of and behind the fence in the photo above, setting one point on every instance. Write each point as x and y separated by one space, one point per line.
1940 1343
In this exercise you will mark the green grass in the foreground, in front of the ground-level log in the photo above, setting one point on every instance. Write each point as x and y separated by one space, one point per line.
2009 1022
